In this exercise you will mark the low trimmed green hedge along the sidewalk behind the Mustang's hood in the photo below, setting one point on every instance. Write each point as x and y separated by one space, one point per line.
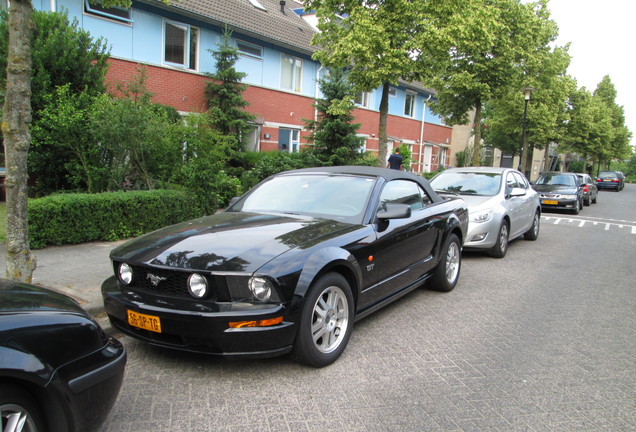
77 218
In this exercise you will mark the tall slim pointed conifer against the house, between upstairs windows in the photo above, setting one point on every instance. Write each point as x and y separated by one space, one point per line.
225 94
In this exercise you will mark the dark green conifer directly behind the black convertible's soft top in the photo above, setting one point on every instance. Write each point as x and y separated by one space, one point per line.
333 135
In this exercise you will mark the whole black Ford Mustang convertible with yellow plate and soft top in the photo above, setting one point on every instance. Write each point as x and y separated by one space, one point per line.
289 266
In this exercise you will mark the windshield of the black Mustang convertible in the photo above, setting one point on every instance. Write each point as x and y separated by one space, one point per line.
331 196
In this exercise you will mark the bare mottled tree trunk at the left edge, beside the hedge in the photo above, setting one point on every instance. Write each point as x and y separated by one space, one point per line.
17 139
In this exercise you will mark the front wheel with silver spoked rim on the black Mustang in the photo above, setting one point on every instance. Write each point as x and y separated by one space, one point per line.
326 321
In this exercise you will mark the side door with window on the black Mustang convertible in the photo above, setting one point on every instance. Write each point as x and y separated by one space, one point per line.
403 251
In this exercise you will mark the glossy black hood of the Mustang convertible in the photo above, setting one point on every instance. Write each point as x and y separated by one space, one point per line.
232 241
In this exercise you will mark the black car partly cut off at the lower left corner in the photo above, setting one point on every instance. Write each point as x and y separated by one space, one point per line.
59 371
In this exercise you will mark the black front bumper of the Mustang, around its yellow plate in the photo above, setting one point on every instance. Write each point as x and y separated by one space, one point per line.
204 330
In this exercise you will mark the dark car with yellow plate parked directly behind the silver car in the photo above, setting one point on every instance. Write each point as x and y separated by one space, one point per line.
560 191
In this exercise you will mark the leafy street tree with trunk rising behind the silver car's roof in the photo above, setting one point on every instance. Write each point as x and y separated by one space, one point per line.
484 63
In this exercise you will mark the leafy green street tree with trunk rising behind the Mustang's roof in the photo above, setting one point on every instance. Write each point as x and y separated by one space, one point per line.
383 41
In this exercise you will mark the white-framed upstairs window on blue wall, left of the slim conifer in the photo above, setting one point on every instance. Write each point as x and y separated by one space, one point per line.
181 43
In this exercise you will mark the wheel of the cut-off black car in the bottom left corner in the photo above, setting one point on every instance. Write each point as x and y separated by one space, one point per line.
19 411
